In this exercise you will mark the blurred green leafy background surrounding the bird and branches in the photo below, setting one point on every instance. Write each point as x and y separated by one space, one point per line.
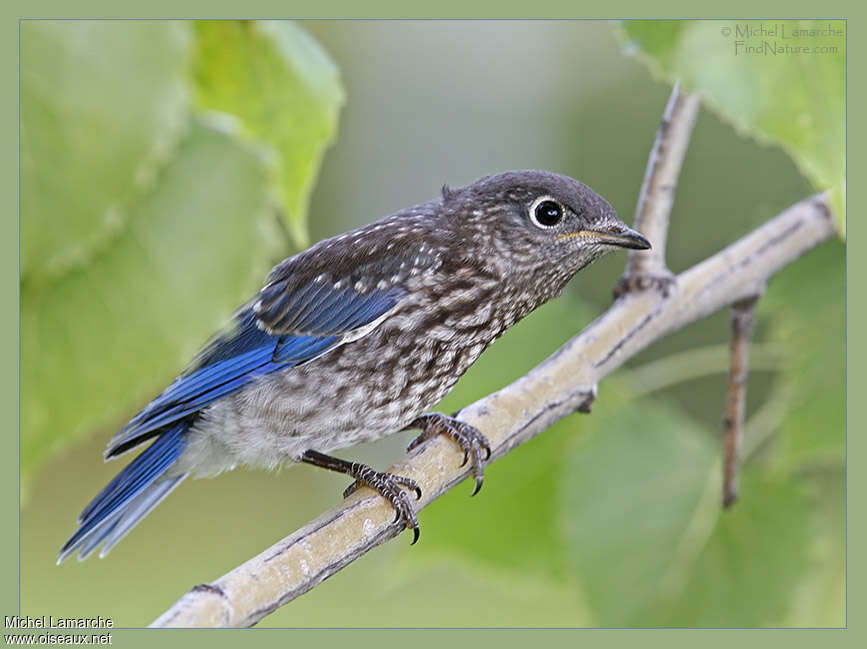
165 168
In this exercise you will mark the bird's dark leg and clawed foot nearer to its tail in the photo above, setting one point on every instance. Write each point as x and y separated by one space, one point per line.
388 485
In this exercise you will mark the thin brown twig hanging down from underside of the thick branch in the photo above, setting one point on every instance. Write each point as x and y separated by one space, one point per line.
733 424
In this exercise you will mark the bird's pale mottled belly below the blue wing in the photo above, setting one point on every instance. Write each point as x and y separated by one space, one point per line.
359 392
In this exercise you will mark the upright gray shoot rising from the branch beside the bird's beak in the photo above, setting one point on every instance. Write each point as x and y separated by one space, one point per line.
652 212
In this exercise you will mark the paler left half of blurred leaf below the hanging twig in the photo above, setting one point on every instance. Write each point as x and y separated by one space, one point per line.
637 500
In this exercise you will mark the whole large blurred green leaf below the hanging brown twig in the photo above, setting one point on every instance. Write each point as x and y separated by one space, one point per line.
649 540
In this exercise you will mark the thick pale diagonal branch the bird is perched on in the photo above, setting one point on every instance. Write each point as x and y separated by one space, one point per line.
564 383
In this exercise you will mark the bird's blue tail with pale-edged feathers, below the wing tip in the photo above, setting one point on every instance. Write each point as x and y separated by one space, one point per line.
129 496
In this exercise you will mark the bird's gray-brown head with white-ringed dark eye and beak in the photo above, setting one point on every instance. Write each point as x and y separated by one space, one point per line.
537 222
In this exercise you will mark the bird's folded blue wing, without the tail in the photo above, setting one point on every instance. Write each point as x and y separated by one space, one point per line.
284 328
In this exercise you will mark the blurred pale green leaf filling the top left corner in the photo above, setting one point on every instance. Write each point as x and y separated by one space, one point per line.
102 106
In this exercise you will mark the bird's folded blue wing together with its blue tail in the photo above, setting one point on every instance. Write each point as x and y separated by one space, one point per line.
284 329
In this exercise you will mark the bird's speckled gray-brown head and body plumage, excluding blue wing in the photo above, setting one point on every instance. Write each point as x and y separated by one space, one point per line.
469 265
